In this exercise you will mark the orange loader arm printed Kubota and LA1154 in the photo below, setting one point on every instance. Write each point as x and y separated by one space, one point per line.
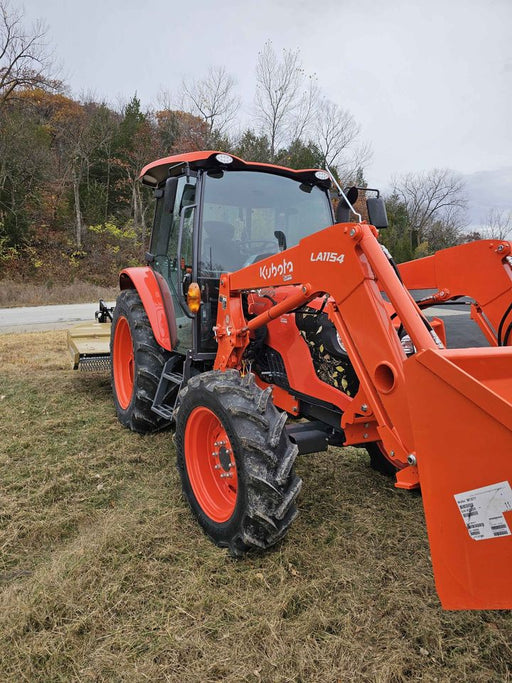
346 261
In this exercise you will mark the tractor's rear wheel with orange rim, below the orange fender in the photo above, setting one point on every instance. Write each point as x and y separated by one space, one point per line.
137 364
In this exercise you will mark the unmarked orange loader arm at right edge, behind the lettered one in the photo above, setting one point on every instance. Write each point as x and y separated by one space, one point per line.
481 270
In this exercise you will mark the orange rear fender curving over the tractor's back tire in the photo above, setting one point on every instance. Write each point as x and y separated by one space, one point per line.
156 299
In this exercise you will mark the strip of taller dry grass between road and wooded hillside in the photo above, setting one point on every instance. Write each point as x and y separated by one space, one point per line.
14 293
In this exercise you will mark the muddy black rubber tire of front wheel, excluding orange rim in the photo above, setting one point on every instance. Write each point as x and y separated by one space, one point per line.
270 484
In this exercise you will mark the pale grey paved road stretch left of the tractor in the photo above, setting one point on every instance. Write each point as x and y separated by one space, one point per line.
37 318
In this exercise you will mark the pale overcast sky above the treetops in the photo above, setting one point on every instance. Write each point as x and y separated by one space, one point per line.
428 81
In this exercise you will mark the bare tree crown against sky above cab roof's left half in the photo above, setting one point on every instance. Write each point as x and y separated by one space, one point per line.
213 98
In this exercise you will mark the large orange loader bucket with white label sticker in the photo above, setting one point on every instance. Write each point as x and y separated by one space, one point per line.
461 413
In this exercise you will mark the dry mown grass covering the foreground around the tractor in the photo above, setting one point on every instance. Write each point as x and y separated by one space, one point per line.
105 576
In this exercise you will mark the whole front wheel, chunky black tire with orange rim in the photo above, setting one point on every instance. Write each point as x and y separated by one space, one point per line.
236 461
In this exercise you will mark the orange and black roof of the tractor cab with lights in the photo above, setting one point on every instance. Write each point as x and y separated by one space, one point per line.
158 171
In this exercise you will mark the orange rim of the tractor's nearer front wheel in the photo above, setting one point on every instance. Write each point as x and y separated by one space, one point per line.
210 464
